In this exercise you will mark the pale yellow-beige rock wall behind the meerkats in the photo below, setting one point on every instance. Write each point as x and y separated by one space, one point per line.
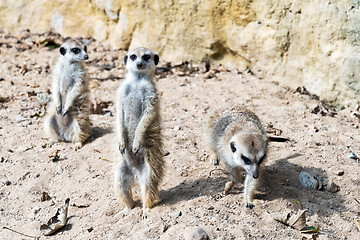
300 43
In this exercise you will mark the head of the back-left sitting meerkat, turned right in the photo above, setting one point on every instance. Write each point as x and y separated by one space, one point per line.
74 50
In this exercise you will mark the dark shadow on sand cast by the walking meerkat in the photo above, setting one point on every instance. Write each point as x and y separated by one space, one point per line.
280 180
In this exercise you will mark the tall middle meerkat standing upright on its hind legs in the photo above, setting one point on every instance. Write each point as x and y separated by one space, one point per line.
139 132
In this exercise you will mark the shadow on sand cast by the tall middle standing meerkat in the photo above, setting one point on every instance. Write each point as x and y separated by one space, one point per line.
188 190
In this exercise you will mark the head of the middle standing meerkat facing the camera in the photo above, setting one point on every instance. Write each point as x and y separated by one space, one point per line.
141 60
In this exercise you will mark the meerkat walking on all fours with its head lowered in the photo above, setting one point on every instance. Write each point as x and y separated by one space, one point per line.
237 138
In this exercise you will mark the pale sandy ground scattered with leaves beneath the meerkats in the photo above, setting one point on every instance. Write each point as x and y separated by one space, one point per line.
33 184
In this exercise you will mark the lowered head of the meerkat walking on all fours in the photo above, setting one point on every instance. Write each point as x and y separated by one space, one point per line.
249 151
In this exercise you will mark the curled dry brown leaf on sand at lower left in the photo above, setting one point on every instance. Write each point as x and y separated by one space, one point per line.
56 222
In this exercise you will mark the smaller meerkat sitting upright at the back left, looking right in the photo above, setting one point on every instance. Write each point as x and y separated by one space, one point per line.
68 115
